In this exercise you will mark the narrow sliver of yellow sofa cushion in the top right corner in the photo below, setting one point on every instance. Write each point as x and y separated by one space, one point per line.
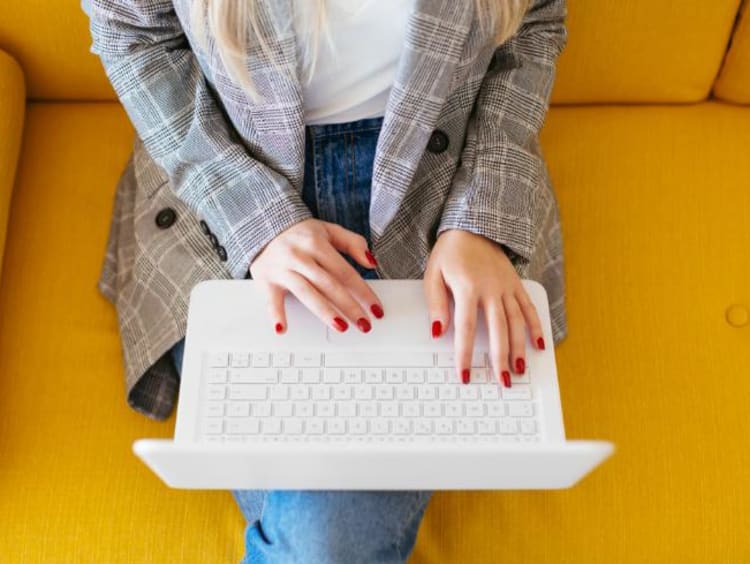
733 83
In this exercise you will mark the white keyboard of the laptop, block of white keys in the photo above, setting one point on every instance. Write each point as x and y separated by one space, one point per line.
335 396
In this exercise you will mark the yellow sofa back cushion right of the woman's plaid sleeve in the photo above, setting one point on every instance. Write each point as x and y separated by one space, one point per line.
643 50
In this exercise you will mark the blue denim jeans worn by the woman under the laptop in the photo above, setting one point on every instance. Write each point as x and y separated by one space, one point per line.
333 526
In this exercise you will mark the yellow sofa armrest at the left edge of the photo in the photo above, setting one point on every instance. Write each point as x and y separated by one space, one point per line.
12 107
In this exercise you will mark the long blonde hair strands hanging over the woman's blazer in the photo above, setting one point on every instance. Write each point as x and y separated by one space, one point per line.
232 22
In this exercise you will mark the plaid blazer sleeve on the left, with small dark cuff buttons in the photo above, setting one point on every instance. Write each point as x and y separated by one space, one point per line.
158 79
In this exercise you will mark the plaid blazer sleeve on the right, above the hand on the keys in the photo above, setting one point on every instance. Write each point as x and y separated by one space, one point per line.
502 171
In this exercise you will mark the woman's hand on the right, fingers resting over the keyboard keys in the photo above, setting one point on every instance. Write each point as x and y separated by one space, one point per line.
476 272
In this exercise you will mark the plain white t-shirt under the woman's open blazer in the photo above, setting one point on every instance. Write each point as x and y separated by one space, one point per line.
352 78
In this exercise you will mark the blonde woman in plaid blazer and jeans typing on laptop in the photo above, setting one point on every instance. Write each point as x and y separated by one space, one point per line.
309 145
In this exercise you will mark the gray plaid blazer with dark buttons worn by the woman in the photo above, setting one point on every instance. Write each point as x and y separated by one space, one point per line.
214 176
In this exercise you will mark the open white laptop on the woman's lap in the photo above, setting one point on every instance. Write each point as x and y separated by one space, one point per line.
318 409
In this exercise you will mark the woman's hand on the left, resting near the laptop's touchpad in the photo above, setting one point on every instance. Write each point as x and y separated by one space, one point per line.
305 260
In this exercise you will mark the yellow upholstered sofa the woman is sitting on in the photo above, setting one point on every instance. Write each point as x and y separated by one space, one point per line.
648 143
